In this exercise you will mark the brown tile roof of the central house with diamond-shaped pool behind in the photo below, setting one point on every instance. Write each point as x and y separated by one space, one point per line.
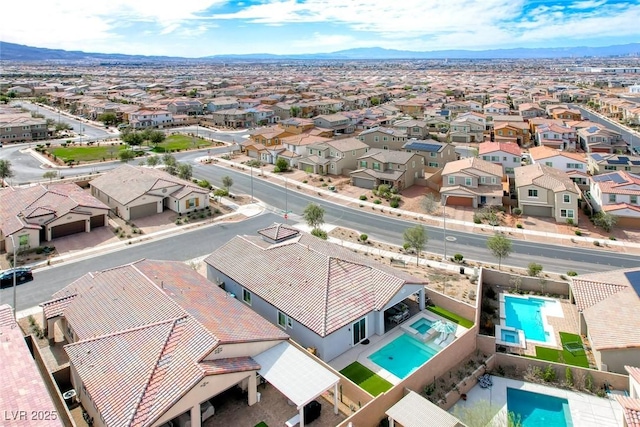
319 284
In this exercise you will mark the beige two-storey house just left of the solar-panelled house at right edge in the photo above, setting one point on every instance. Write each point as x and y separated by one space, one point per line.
547 192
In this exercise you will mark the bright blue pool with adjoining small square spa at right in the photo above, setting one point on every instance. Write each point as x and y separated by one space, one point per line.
524 314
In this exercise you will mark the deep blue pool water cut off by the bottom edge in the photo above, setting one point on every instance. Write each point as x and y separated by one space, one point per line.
538 410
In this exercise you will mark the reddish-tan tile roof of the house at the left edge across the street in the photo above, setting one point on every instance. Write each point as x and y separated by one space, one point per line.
20 206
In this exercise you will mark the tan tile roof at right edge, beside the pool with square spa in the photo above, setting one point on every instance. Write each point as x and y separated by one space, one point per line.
610 307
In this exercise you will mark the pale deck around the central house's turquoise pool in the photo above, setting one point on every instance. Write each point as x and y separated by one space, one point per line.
361 352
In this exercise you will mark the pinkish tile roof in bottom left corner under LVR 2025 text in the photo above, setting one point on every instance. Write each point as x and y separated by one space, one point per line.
22 387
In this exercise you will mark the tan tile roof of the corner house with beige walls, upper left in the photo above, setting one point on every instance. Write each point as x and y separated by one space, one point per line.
128 182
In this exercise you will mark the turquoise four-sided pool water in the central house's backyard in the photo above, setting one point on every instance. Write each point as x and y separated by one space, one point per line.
402 356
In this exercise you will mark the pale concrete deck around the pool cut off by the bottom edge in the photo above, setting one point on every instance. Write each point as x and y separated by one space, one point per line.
586 410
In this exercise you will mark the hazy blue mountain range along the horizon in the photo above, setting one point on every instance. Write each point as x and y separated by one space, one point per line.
17 52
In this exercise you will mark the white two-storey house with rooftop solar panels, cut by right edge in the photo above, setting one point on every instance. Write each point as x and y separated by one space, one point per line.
617 193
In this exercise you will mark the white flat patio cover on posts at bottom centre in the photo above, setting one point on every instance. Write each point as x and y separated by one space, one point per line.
296 375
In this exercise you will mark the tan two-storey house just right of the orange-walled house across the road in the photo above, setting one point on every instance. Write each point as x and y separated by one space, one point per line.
334 157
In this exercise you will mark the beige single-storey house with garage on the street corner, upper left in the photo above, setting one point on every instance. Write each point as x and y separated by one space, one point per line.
135 192
